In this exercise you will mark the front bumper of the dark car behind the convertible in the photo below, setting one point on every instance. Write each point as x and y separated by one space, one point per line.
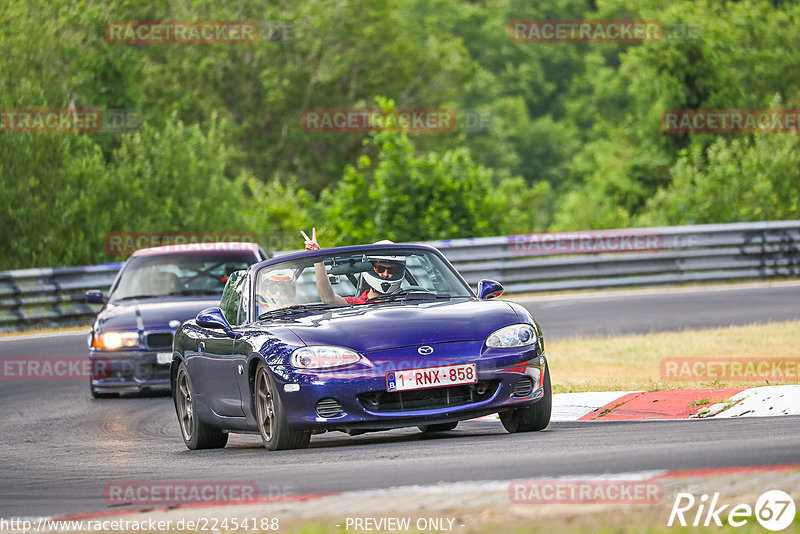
128 371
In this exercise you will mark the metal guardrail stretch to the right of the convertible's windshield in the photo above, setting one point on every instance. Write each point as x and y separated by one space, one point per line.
653 256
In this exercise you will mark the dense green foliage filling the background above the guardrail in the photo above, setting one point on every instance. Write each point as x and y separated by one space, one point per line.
571 136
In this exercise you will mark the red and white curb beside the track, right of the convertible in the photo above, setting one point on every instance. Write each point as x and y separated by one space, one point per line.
677 404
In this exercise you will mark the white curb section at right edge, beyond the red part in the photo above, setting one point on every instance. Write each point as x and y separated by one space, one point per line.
758 402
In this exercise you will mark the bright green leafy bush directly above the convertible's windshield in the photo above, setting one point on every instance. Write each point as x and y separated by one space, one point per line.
405 196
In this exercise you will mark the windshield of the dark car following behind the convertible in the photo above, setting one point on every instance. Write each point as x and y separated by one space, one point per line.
177 274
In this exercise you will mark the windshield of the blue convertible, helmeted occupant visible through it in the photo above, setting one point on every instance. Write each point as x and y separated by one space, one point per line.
363 278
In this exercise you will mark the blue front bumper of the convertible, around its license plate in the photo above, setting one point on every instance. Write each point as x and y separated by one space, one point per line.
356 397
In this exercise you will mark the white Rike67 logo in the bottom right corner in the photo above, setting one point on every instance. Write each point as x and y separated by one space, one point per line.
774 510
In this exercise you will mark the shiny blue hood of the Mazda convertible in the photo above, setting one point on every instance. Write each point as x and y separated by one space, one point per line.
384 326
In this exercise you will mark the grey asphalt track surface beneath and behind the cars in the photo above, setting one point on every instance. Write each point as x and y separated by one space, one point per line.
58 447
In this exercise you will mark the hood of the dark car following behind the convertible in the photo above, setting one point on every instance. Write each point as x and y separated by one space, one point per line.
151 314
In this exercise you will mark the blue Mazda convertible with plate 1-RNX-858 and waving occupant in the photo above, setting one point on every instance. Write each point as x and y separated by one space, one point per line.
356 339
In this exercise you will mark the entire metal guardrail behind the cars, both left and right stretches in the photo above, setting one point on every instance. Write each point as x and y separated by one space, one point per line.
522 263
